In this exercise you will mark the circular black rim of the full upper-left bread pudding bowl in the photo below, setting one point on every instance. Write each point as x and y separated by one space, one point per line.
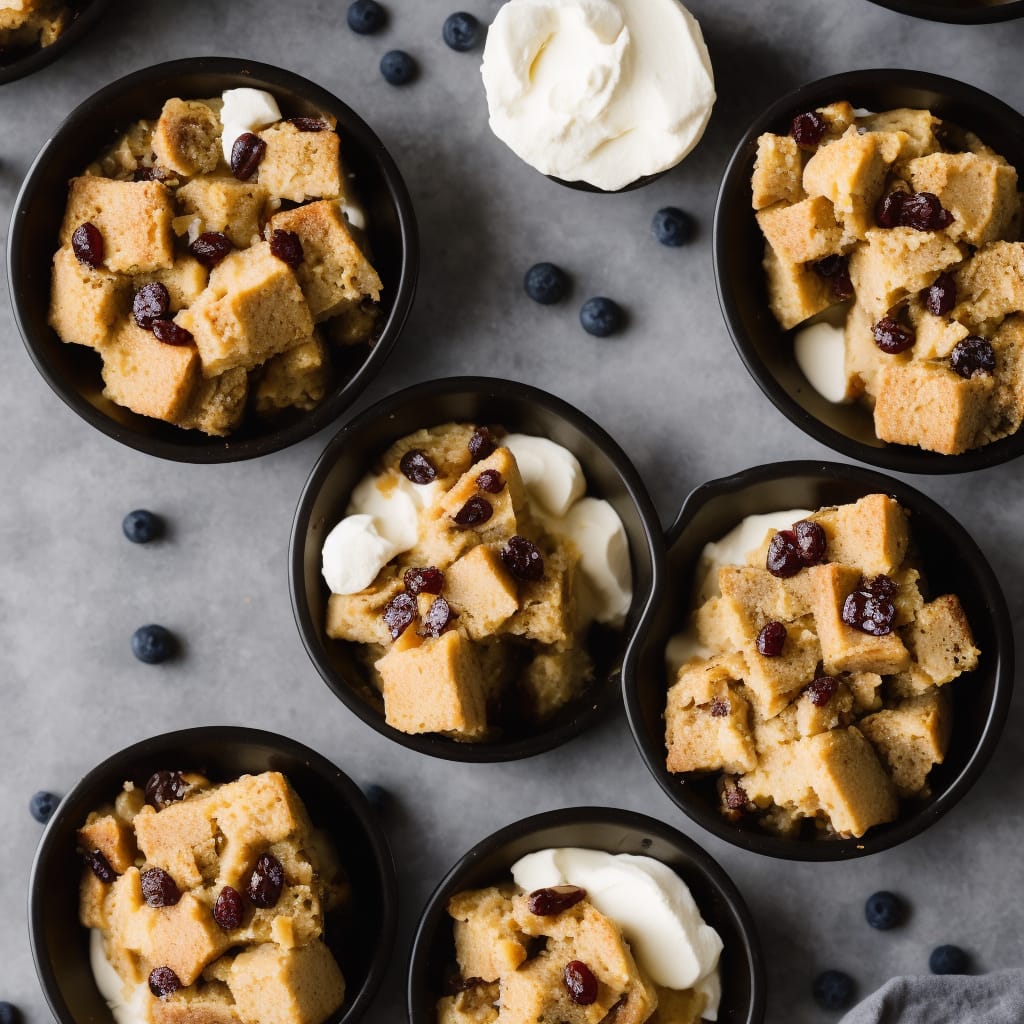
336 402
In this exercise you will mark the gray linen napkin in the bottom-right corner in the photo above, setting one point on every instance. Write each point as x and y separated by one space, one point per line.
988 999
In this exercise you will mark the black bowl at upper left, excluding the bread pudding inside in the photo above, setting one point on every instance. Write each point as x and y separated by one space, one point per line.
73 371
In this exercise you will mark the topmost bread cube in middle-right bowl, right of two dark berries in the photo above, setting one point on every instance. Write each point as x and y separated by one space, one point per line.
871 534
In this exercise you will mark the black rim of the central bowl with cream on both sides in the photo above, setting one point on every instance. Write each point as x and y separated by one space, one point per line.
434 744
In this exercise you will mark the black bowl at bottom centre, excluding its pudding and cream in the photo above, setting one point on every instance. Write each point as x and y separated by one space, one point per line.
614 831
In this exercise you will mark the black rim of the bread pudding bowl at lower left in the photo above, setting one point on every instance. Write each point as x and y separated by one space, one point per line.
226 736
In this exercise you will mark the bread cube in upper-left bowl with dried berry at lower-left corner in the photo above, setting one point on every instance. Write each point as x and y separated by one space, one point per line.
134 218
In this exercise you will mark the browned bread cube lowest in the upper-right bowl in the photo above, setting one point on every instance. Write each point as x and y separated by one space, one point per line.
931 406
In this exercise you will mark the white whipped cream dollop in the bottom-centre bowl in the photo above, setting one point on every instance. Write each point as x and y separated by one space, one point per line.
653 906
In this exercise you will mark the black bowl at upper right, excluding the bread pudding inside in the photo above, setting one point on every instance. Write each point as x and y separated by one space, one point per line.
764 348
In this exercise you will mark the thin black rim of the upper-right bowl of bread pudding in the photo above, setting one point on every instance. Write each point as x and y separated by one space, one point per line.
901 458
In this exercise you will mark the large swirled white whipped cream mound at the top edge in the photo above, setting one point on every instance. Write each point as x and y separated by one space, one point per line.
604 92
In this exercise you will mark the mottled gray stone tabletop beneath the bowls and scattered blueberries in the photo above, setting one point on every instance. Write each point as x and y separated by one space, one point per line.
671 391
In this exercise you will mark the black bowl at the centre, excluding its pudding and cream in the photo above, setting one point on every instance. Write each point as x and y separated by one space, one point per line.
475 400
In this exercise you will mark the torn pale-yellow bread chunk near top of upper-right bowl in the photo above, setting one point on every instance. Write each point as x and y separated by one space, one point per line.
850 174
